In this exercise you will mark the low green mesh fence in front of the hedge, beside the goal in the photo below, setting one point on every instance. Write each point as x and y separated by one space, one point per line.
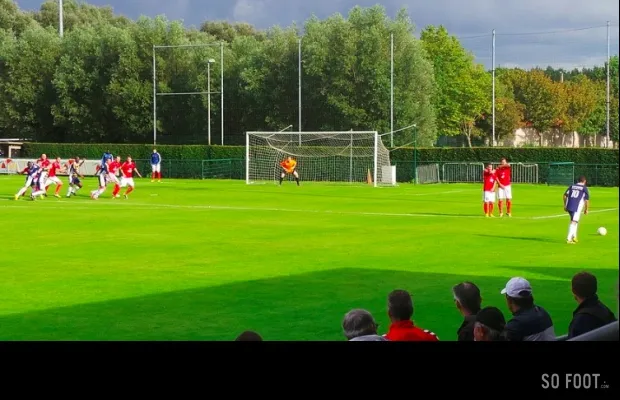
447 172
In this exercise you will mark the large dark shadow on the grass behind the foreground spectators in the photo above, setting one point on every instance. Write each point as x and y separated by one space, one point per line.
302 307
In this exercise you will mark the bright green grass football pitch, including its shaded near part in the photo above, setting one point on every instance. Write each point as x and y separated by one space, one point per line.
206 260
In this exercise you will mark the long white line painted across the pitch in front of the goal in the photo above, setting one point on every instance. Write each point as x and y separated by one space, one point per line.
122 203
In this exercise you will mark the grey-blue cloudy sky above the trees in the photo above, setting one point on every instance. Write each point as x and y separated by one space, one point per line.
529 32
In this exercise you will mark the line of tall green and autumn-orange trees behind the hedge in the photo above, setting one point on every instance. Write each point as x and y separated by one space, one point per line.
95 84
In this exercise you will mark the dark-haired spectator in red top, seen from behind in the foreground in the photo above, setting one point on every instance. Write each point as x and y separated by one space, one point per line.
402 328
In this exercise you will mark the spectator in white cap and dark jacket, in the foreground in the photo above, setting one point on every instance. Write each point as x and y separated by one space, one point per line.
530 323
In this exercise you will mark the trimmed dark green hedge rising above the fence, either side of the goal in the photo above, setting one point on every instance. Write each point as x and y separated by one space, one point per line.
459 154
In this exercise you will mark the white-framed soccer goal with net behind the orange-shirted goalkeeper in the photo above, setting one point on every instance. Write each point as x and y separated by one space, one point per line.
341 157
